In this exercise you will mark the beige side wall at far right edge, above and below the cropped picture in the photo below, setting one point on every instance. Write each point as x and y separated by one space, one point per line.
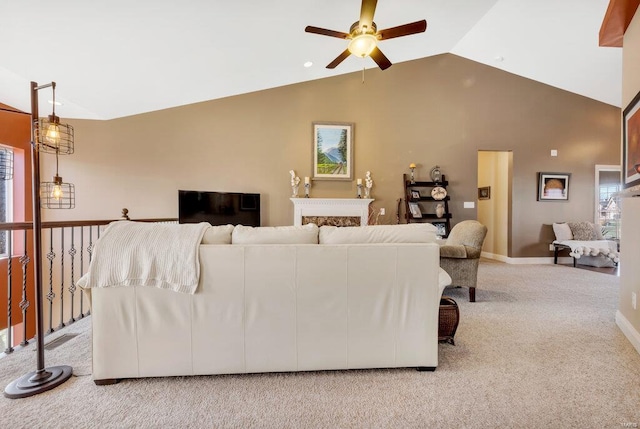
630 87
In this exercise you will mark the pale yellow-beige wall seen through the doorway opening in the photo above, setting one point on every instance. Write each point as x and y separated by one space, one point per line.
494 171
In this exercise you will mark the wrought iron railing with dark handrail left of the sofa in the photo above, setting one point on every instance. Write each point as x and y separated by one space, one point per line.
67 252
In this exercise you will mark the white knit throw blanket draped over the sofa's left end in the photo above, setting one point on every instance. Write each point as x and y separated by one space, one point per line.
147 254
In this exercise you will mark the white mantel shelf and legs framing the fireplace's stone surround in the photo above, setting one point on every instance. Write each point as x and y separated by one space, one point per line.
331 207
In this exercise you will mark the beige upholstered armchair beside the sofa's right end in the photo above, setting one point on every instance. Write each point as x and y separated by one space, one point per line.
460 255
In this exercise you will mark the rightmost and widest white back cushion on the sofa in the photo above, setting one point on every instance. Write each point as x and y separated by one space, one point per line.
409 233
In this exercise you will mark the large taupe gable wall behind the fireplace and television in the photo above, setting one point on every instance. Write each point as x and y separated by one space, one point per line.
438 110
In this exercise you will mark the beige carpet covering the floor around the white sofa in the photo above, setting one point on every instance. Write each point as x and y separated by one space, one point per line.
539 349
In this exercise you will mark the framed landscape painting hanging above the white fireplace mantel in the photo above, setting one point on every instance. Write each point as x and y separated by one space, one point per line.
332 157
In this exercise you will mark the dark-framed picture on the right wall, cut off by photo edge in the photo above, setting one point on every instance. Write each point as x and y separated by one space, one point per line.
631 143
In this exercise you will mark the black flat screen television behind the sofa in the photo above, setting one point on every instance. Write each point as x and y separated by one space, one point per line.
219 208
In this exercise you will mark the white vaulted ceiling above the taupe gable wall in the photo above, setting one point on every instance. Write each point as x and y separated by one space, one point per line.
120 57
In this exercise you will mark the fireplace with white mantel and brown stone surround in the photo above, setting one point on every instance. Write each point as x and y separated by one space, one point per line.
331 211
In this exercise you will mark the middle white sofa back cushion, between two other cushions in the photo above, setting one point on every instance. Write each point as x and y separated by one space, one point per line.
305 234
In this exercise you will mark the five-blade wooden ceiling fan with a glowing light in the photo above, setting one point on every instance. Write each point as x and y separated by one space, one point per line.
364 36
